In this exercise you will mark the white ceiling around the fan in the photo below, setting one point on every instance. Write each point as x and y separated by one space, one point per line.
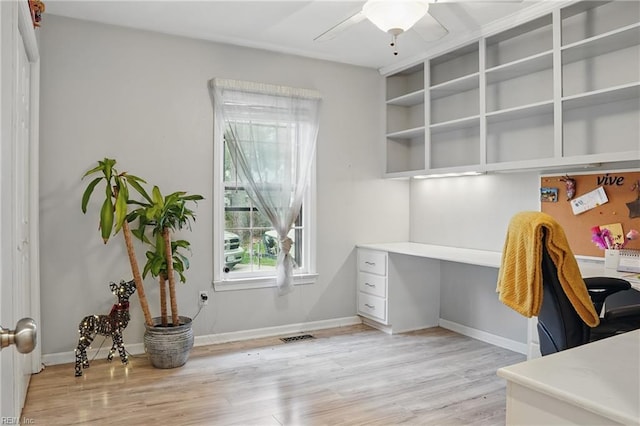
291 26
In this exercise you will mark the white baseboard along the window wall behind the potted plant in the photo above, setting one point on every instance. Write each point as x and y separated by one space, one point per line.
211 339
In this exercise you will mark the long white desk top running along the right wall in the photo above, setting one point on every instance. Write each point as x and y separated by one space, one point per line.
589 267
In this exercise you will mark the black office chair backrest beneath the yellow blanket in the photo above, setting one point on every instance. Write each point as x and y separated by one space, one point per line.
559 325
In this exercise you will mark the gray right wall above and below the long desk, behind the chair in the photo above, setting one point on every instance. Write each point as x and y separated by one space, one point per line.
473 212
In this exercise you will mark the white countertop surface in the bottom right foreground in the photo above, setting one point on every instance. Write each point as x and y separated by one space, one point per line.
602 377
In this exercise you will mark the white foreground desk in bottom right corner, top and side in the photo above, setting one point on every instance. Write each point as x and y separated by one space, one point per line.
593 384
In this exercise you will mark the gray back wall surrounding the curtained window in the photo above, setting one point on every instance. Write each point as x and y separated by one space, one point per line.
142 98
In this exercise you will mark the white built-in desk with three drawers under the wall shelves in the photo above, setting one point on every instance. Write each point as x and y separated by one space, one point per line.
403 293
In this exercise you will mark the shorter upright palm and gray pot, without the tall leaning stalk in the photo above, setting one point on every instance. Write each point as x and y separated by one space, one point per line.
167 343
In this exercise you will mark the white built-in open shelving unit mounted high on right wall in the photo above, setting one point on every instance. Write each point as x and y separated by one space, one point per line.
562 89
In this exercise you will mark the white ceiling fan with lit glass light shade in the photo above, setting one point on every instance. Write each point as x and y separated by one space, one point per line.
395 17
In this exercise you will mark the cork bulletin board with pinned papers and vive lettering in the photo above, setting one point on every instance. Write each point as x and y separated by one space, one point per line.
622 207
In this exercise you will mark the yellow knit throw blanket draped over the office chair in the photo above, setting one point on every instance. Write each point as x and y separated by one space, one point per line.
520 275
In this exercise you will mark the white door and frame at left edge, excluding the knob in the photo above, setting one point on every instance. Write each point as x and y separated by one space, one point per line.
19 277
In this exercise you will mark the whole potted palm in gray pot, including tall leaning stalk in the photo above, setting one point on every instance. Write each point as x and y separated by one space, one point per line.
167 343
